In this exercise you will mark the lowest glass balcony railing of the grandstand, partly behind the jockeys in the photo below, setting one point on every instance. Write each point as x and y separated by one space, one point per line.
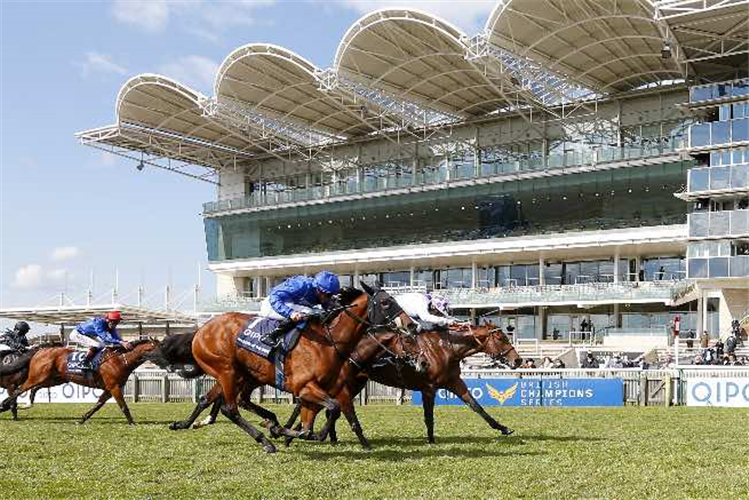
648 291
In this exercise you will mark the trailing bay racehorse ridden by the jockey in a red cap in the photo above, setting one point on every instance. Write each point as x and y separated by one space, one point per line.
49 367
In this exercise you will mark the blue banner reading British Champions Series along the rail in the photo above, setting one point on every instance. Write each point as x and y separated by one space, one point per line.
537 392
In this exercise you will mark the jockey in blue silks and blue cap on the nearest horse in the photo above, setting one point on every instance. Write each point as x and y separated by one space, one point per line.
295 299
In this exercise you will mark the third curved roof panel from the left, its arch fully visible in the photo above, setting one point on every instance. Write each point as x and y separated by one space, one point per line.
415 56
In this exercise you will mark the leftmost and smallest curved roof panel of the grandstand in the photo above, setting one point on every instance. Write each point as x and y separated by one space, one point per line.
158 102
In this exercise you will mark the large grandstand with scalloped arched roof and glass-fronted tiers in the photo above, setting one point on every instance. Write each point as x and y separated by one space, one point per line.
527 172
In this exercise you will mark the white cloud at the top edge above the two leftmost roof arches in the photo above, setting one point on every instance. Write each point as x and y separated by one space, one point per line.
199 17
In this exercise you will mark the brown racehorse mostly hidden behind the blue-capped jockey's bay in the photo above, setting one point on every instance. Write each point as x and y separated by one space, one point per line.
371 346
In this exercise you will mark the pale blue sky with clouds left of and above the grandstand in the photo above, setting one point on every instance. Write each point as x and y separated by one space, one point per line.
65 209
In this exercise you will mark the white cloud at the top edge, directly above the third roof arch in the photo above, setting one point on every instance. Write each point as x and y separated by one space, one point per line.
469 15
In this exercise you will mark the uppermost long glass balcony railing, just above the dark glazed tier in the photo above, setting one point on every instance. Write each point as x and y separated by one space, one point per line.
602 155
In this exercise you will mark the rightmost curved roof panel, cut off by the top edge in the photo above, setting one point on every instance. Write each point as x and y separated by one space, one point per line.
608 45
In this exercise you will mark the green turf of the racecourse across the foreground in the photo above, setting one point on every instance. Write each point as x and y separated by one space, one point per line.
622 453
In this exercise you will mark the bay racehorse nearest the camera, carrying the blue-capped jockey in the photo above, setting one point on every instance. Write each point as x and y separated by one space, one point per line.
317 359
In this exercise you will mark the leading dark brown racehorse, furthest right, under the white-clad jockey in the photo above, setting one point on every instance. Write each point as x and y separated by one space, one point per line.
442 350
